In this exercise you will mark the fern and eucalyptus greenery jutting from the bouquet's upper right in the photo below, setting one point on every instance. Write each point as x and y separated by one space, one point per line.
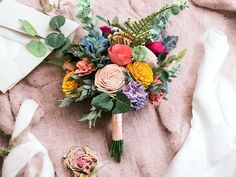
148 28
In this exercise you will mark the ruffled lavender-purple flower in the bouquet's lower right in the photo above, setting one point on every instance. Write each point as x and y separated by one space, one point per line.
136 94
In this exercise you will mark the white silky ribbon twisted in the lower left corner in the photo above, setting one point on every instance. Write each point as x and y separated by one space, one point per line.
28 157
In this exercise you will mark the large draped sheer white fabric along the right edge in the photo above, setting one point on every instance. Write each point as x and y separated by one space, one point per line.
210 149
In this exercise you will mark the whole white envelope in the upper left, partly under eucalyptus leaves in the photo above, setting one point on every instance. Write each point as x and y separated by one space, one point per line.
15 61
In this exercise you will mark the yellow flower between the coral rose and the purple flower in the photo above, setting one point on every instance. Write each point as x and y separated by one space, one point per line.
141 72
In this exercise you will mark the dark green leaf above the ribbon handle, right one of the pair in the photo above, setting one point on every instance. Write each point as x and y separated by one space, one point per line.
122 103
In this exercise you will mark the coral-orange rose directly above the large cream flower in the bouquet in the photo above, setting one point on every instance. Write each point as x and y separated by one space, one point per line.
120 54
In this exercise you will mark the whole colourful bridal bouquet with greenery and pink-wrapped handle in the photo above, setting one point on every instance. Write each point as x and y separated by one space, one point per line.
120 66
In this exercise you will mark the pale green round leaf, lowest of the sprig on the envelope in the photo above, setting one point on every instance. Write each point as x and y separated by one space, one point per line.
37 48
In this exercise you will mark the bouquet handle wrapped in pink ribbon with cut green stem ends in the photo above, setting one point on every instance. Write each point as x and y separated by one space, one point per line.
116 149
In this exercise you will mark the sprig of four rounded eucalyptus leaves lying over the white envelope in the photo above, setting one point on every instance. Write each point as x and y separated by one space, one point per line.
56 40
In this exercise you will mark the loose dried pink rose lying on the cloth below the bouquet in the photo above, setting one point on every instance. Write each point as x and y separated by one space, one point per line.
82 162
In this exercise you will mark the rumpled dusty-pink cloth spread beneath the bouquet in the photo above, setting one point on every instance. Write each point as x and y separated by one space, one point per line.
152 136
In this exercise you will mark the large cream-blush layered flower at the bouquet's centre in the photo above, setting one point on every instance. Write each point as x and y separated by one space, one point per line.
110 79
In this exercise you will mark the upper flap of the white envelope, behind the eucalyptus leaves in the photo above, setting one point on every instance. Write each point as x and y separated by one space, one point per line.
11 12
